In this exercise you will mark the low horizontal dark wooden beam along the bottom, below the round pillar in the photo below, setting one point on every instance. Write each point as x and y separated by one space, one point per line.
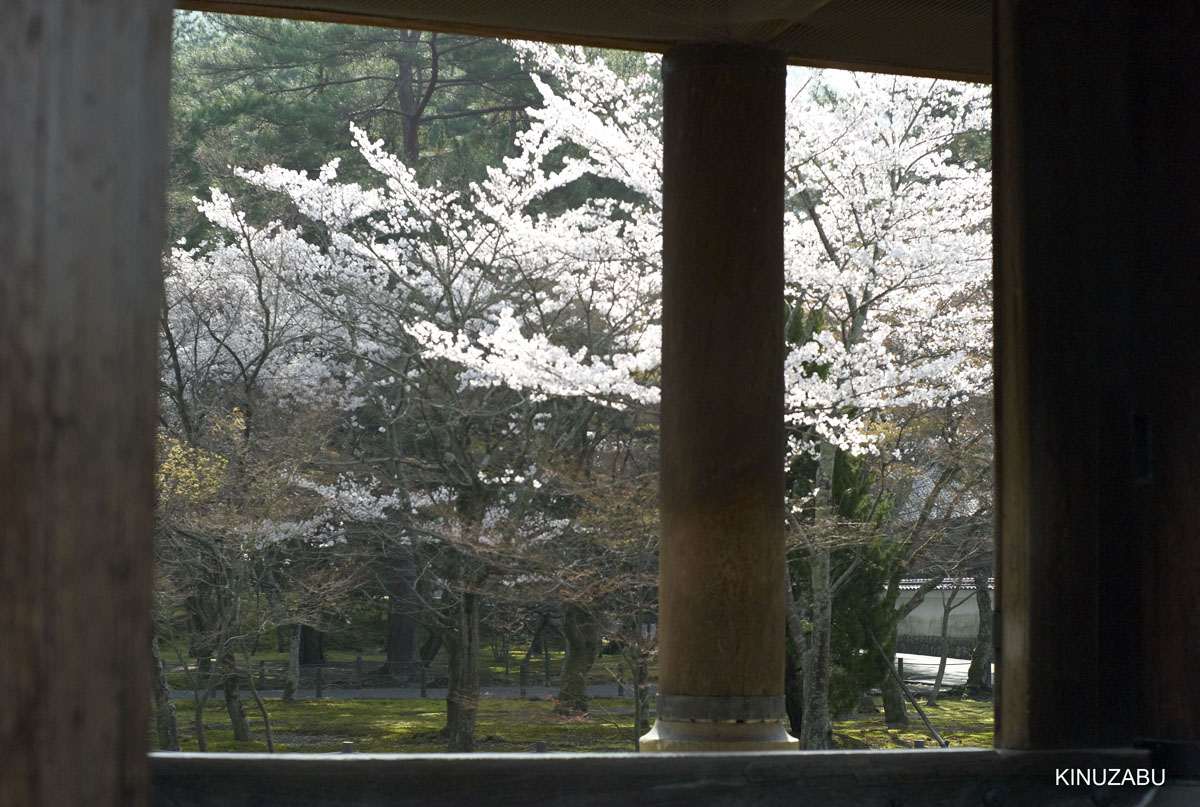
928 778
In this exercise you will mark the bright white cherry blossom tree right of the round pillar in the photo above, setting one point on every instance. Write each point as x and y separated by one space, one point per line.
889 271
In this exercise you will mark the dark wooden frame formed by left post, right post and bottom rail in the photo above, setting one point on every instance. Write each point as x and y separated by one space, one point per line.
81 213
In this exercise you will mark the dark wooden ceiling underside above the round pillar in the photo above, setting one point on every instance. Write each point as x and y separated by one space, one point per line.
947 39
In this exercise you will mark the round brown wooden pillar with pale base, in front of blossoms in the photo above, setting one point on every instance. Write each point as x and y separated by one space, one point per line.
722 553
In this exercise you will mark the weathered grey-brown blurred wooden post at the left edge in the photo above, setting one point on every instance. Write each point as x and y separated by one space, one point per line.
83 154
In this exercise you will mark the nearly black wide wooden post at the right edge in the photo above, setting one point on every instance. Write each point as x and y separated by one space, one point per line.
1097 113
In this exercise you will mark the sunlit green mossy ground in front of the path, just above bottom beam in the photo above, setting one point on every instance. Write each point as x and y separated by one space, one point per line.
514 725
